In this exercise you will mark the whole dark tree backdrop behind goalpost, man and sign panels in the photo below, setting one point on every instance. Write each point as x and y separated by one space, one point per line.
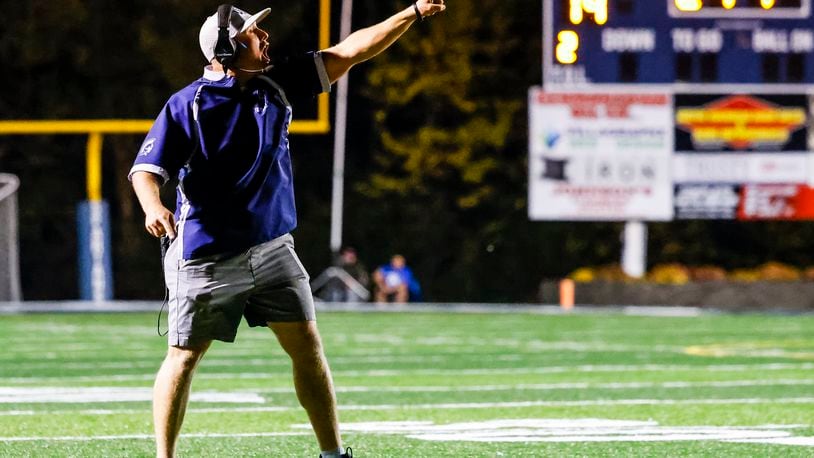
437 148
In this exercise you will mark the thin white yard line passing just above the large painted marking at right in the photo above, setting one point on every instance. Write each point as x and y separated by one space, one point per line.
442 406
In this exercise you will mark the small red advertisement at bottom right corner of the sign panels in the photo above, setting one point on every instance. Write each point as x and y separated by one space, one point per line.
776 202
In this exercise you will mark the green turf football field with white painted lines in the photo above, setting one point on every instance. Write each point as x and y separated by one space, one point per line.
427 385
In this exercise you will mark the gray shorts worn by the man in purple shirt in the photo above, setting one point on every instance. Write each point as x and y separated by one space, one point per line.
208 296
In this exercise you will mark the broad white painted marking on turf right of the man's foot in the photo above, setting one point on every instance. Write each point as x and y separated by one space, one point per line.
579 430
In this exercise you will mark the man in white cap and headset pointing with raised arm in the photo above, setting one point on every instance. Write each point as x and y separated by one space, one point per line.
225 137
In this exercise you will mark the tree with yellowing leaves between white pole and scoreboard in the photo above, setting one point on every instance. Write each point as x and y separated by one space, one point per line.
448 173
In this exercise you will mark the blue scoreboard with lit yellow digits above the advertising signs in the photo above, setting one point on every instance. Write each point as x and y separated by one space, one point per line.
679 45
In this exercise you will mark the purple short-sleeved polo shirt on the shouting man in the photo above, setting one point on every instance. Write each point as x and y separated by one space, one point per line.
228 147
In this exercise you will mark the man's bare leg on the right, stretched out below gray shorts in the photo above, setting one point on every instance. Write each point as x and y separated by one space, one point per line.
312 378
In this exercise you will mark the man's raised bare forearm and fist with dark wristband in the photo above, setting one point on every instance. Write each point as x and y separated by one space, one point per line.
368 42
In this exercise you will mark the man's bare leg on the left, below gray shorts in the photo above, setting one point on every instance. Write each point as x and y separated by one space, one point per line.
171 393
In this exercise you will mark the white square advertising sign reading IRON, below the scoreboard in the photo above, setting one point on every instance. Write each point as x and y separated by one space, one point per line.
600 156
